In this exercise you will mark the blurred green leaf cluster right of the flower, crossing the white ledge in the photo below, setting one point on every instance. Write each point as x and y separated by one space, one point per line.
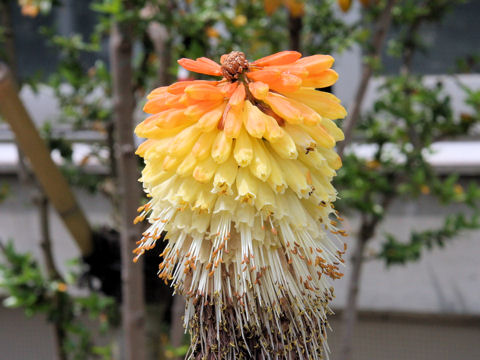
406 120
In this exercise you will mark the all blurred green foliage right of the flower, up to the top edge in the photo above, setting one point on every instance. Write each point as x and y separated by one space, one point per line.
407 117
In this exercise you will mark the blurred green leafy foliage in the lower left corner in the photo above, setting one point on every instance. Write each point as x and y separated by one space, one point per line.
30 289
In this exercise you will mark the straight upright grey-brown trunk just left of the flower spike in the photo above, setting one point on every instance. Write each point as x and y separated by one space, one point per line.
133 310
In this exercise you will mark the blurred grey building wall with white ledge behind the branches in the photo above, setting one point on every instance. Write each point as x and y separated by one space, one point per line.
428 309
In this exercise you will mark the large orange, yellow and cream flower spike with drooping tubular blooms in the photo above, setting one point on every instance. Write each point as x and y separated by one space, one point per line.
239 173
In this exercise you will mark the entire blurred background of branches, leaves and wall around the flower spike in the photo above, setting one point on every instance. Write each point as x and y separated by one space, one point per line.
408 189
